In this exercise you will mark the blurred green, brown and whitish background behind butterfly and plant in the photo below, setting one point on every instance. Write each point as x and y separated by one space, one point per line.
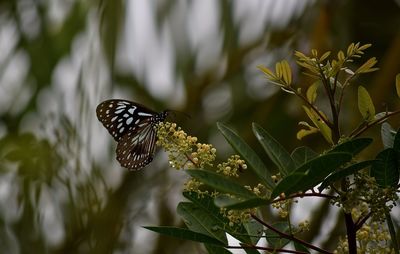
61 189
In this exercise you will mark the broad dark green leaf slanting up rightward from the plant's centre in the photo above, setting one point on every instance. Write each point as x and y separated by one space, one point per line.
310 174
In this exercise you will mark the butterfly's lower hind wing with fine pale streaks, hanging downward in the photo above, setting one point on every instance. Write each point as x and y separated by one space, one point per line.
136 149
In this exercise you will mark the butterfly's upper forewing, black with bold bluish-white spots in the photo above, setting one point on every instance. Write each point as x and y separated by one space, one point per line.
121 116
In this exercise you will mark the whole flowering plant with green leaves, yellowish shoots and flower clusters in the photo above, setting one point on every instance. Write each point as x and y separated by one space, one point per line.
364 189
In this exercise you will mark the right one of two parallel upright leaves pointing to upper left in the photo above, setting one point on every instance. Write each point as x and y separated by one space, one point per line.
279 156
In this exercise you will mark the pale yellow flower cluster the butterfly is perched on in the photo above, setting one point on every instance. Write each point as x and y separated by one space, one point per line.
183 150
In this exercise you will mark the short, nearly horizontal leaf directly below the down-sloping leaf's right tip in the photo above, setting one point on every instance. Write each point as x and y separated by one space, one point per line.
227 202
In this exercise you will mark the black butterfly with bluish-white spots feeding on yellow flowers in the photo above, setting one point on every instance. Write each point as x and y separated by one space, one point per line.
133 126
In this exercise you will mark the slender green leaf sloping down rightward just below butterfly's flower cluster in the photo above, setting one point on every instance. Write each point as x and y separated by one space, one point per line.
220 183
